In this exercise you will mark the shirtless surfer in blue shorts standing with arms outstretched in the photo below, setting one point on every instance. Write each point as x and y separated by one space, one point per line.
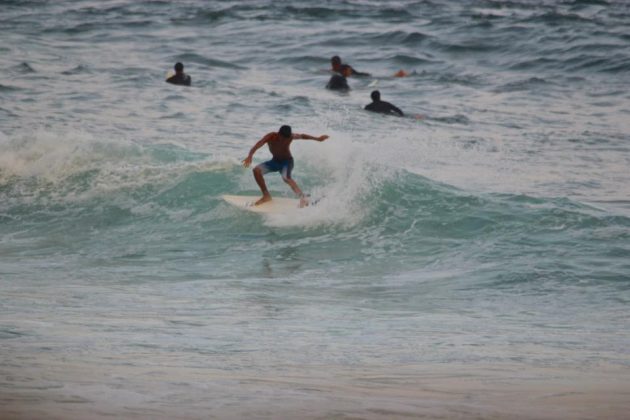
281 161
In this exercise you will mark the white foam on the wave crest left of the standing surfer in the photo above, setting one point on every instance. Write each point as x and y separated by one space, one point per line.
48 159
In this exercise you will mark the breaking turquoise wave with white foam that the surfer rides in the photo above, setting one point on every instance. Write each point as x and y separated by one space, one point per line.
372 219
